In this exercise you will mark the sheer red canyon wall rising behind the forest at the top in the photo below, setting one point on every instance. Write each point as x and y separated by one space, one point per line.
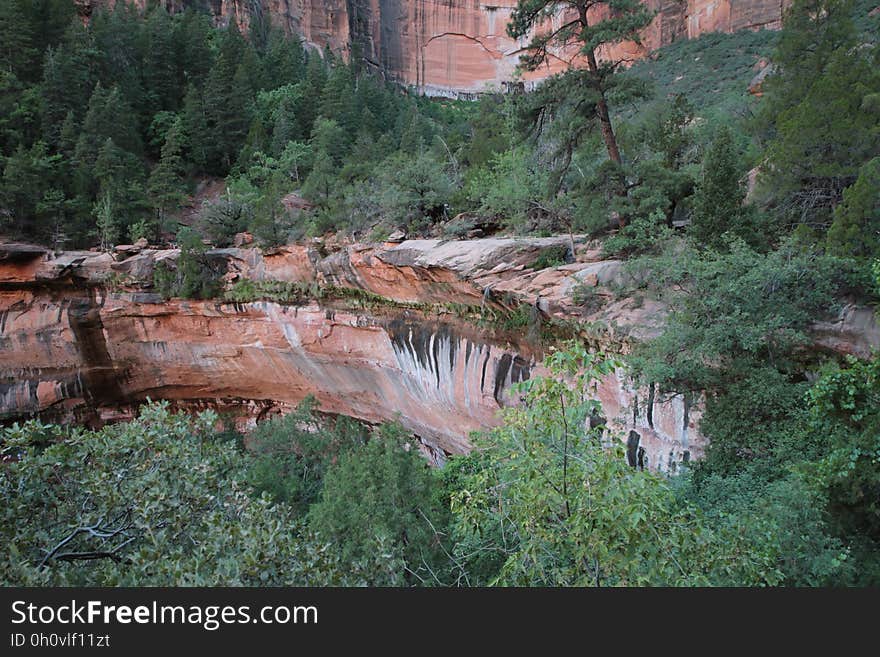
461 47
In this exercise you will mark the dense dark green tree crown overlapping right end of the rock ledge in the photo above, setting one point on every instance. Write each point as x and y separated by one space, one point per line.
734 309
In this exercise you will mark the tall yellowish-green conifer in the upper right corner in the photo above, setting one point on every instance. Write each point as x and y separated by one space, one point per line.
820 121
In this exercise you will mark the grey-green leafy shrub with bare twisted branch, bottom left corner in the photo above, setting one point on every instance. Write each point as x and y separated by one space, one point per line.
160 503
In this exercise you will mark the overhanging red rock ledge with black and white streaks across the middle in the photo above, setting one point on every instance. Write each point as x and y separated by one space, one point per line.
83 338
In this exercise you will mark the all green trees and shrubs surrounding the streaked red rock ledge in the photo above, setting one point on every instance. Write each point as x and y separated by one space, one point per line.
750 217
